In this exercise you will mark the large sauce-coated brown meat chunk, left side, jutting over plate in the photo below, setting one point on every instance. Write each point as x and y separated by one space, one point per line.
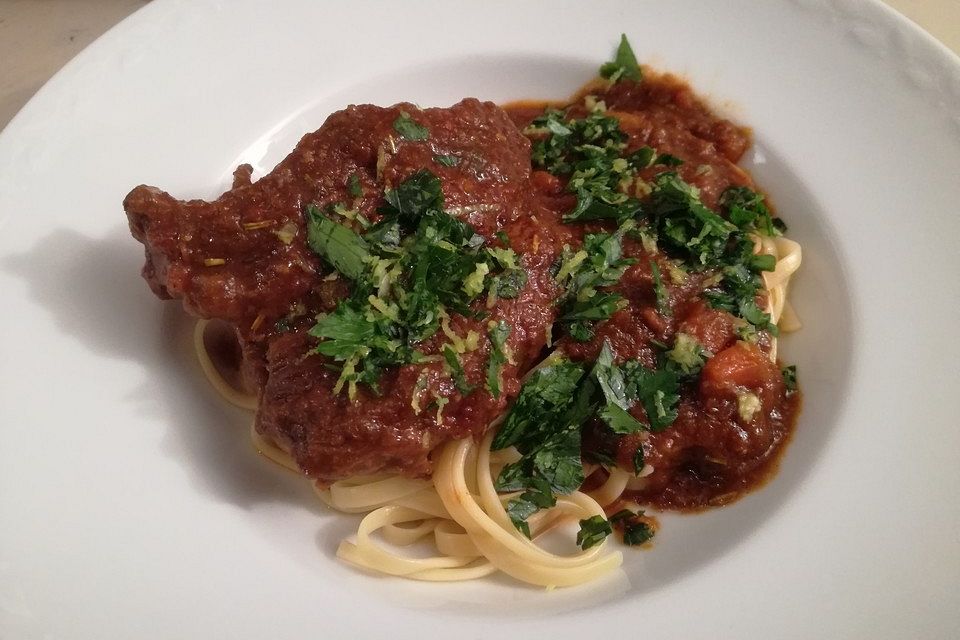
243 258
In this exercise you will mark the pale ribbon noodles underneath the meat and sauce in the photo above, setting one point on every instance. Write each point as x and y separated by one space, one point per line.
459 509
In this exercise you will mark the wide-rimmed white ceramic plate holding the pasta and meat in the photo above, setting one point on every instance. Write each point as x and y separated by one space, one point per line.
132 505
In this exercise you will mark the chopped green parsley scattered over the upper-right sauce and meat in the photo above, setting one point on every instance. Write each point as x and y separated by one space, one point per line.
591 154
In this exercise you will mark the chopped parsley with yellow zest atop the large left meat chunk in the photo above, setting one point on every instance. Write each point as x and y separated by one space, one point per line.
409 271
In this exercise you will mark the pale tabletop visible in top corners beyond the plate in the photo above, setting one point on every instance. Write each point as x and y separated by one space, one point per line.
37 37
